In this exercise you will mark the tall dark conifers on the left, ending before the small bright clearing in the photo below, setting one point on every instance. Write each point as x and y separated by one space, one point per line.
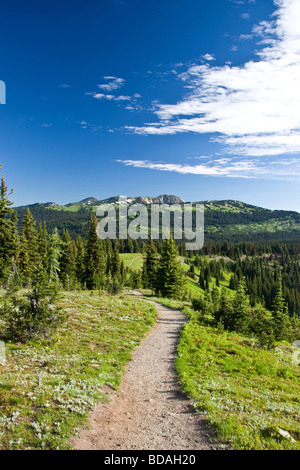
84 263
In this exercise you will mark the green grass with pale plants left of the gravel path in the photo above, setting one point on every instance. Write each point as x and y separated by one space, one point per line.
47 390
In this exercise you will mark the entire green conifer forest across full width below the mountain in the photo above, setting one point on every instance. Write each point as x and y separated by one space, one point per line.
264 279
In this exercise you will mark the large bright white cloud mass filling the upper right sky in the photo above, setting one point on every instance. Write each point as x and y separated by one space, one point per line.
253 108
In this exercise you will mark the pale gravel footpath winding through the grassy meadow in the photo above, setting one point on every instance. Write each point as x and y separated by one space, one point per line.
149 412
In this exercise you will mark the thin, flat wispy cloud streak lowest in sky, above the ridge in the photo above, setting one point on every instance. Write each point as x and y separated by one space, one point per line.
230 167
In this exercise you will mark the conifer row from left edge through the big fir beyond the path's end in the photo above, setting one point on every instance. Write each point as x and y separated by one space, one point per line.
88 263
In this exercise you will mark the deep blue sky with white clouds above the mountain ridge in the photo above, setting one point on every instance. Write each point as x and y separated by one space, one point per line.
194 98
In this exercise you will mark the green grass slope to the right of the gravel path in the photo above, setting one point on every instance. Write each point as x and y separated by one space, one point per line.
246 393
